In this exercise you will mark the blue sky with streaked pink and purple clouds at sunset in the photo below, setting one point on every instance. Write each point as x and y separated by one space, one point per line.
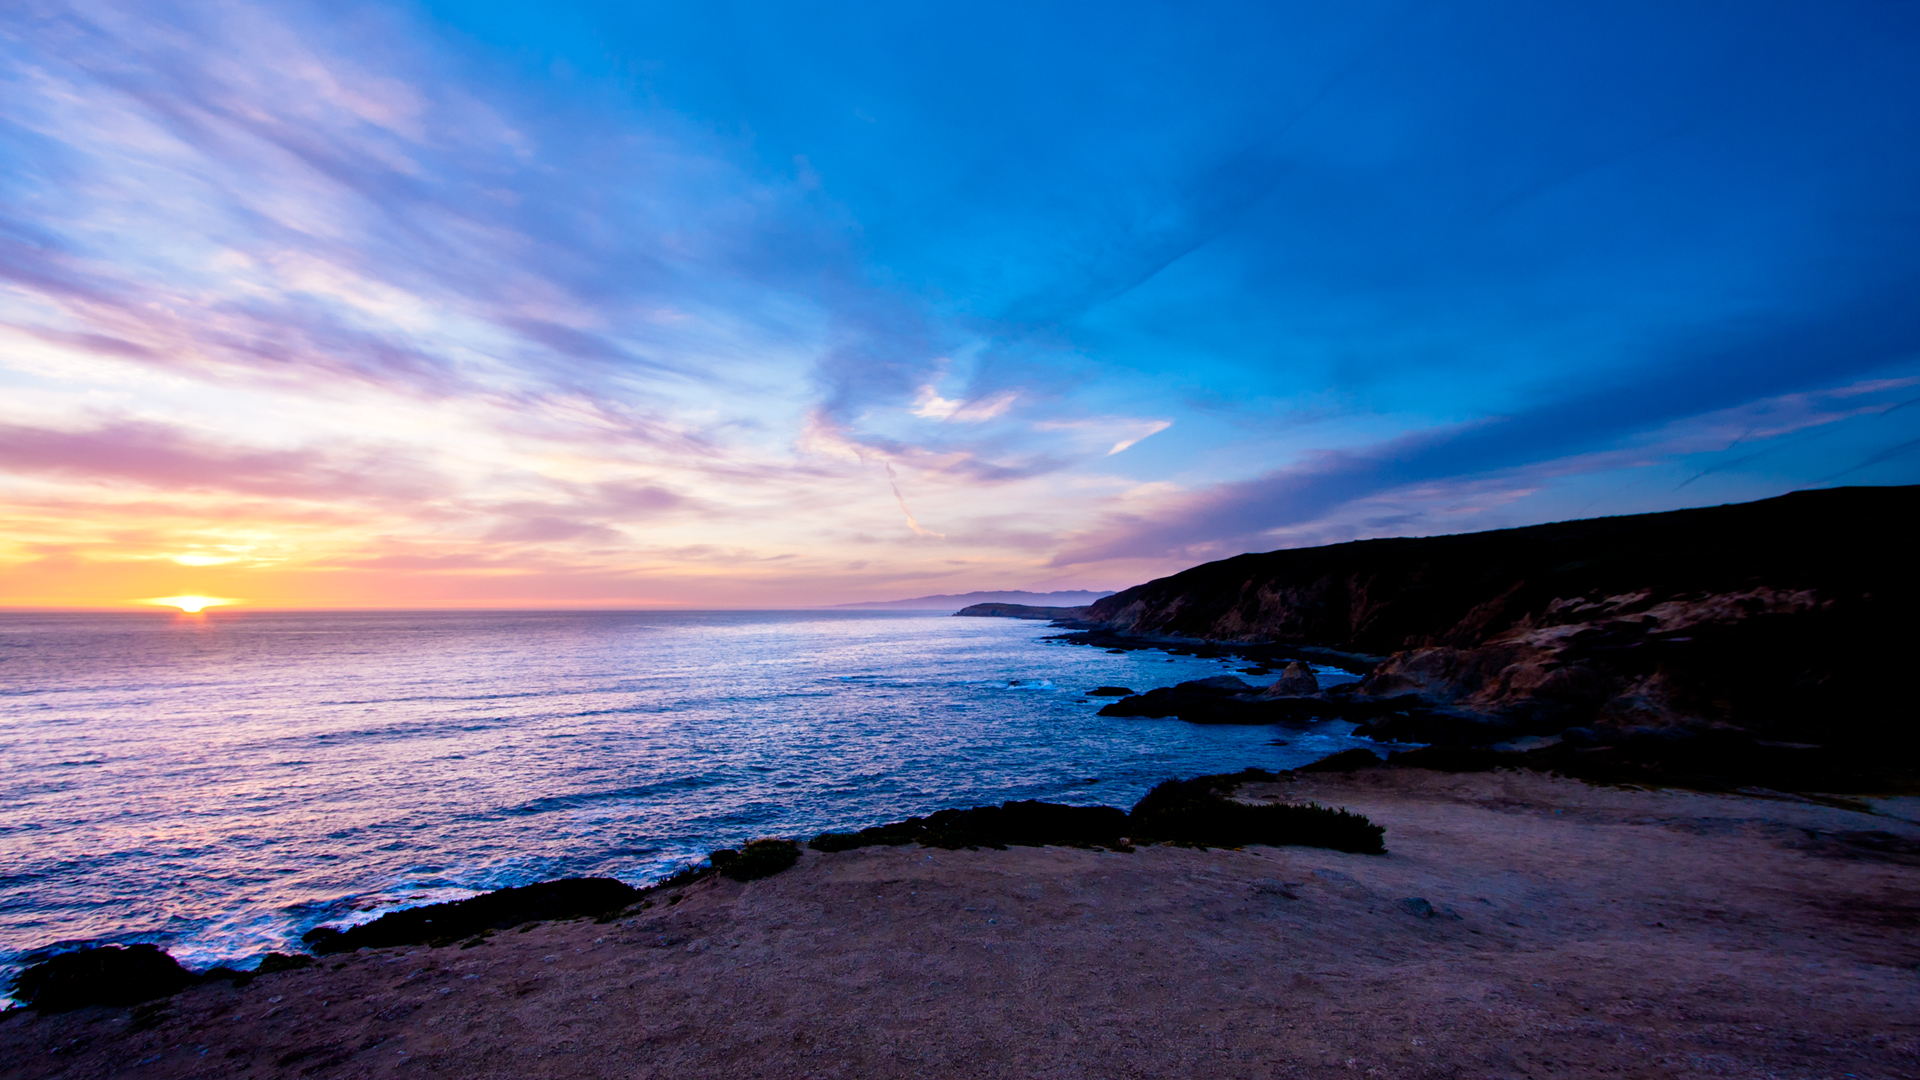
500 305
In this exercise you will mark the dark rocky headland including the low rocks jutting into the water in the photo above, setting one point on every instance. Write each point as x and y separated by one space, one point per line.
1731 647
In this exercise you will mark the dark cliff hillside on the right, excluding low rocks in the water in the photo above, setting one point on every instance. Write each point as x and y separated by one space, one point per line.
1785 618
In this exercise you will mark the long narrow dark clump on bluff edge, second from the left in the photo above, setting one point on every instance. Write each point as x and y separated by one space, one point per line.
444 923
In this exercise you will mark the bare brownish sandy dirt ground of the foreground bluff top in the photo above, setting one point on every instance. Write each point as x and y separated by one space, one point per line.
1518 927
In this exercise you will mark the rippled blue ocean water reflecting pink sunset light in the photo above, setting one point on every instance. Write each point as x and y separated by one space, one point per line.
224 783
